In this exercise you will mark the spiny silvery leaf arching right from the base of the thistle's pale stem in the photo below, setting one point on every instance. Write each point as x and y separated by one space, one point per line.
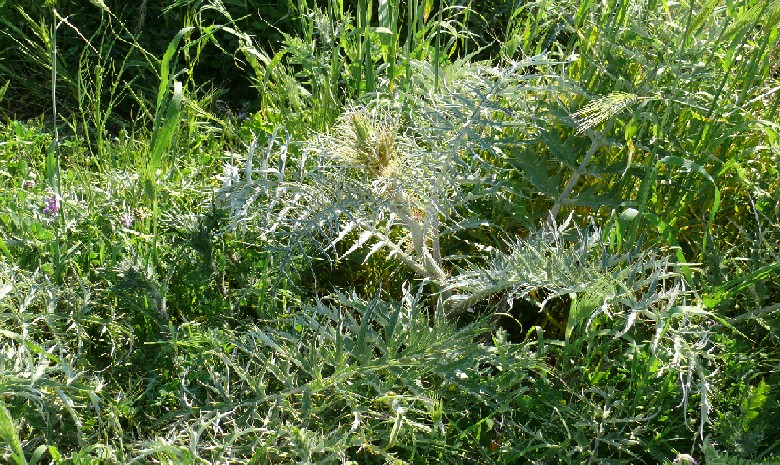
547 260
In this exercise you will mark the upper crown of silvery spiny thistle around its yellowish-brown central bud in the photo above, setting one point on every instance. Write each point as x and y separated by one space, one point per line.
398 176
